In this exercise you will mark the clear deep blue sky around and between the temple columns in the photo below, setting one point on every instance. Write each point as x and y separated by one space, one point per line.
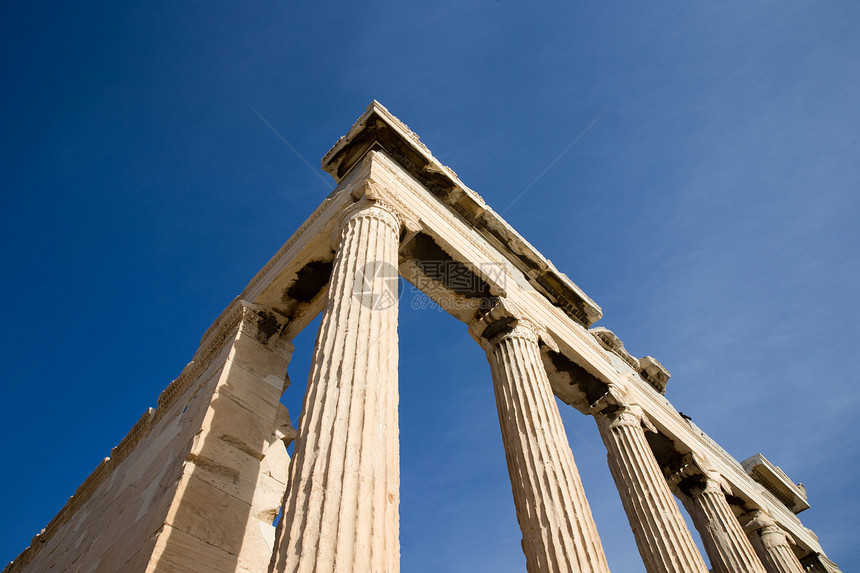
711 209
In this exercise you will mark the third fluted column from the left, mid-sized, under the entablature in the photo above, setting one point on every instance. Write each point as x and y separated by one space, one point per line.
664 541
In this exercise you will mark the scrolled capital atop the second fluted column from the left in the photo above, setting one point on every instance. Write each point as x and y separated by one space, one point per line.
506 320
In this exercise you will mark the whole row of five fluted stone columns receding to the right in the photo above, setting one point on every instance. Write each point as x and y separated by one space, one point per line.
341 508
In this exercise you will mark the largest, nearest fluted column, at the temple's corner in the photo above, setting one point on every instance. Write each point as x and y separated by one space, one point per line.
341 512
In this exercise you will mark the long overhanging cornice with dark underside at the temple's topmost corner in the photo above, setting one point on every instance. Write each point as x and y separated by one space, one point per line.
377 129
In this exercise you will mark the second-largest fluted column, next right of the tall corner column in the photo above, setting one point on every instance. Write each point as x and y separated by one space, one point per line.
559 534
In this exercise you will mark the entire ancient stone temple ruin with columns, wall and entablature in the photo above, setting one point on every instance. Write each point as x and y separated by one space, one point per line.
199 480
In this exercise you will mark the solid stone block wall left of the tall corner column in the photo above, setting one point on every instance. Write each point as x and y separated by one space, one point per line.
197 482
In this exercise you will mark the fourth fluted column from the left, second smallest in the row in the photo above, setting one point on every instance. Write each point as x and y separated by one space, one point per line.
725 541
